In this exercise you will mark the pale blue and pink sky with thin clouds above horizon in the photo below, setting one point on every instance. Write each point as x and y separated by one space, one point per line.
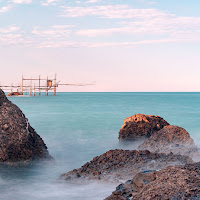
120 45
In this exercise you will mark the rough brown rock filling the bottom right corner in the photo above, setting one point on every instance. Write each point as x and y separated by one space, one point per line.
174 182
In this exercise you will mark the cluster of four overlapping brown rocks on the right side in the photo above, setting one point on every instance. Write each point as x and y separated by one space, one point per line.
162 167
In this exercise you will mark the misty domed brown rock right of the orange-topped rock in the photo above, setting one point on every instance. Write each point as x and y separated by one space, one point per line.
171 139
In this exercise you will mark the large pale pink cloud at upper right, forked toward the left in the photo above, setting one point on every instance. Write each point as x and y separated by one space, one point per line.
148 22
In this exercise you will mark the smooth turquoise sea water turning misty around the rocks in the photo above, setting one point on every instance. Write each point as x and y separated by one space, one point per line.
79 126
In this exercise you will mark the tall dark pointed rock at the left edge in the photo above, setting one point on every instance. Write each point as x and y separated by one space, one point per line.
19 143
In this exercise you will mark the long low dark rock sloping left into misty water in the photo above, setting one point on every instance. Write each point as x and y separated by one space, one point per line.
118 165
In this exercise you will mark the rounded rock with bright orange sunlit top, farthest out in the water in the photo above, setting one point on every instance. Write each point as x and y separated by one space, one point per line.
140 126
